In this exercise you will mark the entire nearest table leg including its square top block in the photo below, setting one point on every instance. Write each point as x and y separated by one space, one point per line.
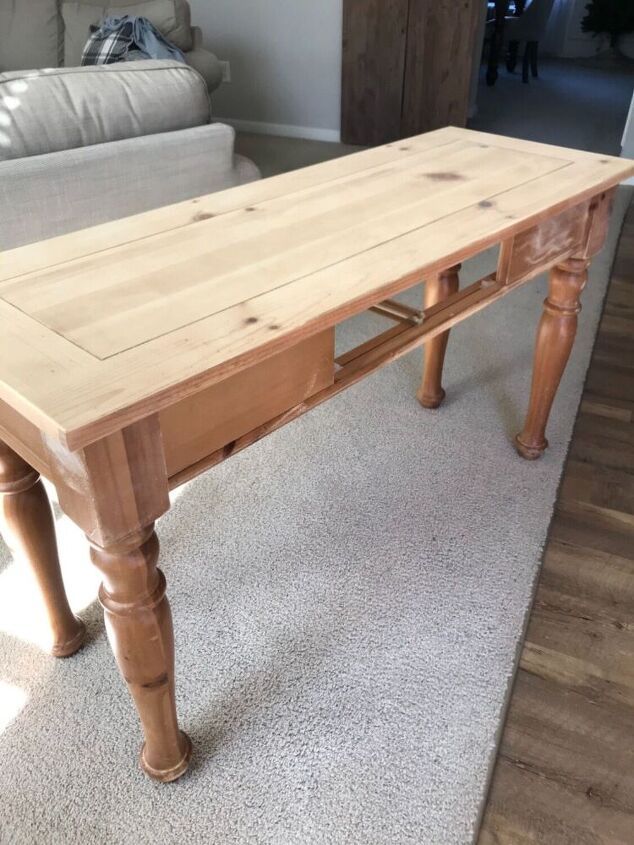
115 489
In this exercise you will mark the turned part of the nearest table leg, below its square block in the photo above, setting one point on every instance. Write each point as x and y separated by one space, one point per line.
139 626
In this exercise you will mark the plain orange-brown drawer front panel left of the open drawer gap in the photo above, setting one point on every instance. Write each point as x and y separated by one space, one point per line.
210 420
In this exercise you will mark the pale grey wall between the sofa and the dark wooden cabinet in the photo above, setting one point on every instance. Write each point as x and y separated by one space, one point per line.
285 63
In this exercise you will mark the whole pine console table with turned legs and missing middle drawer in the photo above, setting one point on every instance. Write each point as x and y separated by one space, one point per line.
137 354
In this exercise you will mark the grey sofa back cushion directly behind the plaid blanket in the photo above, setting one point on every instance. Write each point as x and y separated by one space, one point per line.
171 17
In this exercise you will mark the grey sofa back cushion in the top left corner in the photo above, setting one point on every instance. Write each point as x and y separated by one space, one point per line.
30 34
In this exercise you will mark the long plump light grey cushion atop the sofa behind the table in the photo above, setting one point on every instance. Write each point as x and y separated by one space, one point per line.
64 108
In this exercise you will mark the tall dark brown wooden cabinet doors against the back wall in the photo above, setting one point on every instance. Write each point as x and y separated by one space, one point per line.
406 67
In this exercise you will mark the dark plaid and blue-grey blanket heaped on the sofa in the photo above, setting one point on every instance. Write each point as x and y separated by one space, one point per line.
126 39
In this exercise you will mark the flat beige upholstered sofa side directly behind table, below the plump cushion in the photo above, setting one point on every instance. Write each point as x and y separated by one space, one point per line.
49 195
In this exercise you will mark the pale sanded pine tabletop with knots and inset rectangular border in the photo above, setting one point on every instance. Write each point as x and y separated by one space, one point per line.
101 328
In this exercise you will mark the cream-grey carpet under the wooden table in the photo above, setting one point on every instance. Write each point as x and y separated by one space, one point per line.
349 596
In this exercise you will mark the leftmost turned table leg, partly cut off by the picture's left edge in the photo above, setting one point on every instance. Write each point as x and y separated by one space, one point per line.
27 525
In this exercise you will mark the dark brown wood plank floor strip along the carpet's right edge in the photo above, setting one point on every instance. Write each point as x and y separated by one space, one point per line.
565 767
